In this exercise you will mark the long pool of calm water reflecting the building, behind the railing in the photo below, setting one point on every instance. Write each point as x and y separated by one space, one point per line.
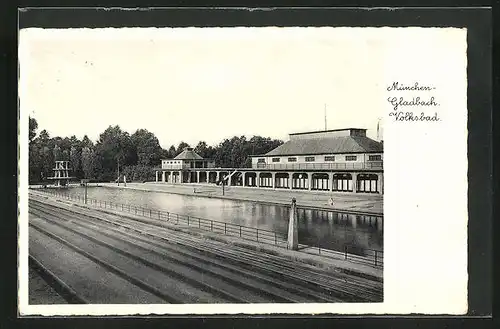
330 230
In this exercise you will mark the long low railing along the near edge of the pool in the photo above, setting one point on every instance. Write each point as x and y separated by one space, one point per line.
229 229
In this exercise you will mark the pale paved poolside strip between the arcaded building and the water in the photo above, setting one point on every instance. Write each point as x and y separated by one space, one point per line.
371 204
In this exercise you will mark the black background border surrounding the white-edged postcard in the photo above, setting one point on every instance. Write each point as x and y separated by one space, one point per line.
478 21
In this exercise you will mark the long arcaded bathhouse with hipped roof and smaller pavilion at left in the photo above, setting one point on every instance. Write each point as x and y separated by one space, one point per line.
343 160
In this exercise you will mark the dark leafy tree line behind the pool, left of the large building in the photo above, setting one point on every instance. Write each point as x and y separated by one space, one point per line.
134 155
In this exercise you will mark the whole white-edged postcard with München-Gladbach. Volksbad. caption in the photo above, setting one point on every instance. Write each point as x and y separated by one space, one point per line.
245 170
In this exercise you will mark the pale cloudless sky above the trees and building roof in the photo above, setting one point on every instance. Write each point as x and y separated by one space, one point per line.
192 84
